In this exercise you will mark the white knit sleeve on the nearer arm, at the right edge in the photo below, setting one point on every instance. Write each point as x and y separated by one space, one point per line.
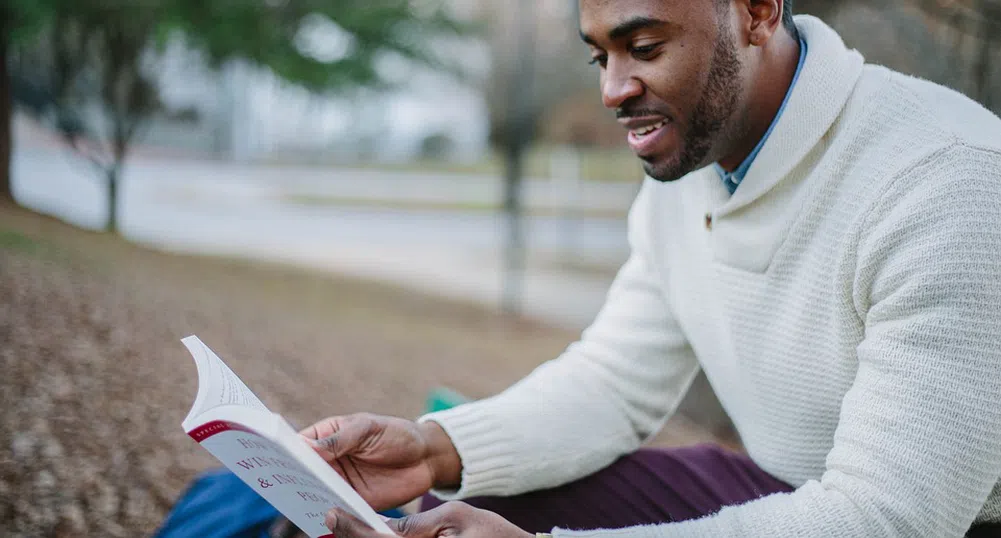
918 445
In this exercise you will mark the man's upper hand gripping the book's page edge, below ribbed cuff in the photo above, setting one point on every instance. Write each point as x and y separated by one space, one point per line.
389 461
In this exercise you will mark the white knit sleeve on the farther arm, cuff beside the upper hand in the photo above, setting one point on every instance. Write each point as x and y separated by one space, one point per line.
600 400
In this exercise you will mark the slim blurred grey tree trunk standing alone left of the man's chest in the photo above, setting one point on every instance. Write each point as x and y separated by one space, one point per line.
514 272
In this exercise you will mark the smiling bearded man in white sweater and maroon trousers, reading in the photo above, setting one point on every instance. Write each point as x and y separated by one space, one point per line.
821 237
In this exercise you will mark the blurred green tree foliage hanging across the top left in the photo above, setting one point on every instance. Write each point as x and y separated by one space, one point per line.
265 33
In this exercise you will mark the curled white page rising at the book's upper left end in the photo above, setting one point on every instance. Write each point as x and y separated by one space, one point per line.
218 384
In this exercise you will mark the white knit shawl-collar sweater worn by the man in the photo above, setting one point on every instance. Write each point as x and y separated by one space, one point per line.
846 306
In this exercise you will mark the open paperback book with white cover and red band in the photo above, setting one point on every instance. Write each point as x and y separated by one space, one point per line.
266 452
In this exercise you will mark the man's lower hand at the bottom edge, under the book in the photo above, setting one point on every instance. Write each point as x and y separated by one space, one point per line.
451 520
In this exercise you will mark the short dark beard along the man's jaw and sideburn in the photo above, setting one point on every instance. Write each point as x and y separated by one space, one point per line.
712 114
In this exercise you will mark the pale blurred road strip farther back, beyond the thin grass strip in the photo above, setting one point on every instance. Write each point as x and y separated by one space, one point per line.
187 176
